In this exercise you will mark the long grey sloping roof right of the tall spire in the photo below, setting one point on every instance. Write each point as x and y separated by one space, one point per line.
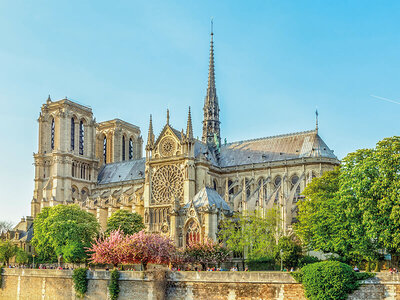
275 148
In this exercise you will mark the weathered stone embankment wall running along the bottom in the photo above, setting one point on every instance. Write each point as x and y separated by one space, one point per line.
58 285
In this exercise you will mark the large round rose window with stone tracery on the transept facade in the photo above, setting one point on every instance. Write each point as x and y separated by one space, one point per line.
167 184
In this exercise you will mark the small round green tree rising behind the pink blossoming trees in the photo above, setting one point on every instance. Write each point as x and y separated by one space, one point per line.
126 221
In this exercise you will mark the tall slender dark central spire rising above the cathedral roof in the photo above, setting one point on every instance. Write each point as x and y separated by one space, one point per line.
211 128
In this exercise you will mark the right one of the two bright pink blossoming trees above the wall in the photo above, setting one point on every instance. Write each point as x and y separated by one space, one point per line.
148 248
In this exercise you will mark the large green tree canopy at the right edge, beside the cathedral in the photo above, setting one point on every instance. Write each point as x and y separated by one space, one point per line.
354 210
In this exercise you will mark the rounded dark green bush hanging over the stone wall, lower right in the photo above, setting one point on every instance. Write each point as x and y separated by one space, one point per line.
328 280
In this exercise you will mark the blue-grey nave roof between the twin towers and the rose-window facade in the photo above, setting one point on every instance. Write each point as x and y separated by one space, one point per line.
122 171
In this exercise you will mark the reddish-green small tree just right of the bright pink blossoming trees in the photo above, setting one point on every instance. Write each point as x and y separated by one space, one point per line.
206 252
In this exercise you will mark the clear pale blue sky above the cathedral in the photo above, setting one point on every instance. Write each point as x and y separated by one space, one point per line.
276 61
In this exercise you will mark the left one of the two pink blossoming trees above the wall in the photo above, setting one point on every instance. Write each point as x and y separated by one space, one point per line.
109 250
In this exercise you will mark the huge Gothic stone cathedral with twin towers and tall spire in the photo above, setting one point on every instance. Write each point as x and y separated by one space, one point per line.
182 186
